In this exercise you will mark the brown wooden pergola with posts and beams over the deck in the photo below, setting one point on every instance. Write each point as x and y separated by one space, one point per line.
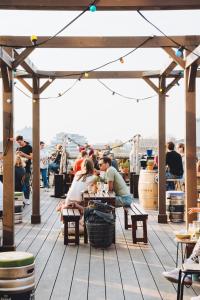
11 58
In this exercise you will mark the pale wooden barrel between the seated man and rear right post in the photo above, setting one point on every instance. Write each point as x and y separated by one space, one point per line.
148 189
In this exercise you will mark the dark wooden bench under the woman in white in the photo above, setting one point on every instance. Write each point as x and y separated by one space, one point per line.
71 215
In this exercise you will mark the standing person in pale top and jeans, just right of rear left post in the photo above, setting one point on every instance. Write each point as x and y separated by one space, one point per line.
44 165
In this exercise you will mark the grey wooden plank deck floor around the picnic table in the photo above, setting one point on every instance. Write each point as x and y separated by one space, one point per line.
124 271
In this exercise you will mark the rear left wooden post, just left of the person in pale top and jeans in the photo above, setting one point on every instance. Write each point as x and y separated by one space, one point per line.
36 218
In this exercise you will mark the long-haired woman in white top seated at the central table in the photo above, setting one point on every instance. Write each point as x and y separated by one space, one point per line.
80 183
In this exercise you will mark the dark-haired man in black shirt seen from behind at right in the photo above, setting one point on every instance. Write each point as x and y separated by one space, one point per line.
174 164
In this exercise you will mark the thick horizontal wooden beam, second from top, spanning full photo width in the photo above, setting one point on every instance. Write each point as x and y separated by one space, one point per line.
102 41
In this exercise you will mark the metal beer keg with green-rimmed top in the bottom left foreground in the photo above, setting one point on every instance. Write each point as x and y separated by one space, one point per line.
17 276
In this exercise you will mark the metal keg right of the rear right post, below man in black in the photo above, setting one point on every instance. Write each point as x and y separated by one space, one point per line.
175 203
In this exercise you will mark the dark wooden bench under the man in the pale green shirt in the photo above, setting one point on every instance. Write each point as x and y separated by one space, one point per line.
136 215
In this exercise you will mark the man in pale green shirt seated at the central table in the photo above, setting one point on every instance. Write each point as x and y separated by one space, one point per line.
115 183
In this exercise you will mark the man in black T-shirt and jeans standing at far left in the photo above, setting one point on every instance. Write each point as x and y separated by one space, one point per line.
25 152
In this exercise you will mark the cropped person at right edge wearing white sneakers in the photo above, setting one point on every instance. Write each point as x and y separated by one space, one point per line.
173 275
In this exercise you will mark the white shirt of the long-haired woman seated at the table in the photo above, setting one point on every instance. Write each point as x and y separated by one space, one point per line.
79 186
